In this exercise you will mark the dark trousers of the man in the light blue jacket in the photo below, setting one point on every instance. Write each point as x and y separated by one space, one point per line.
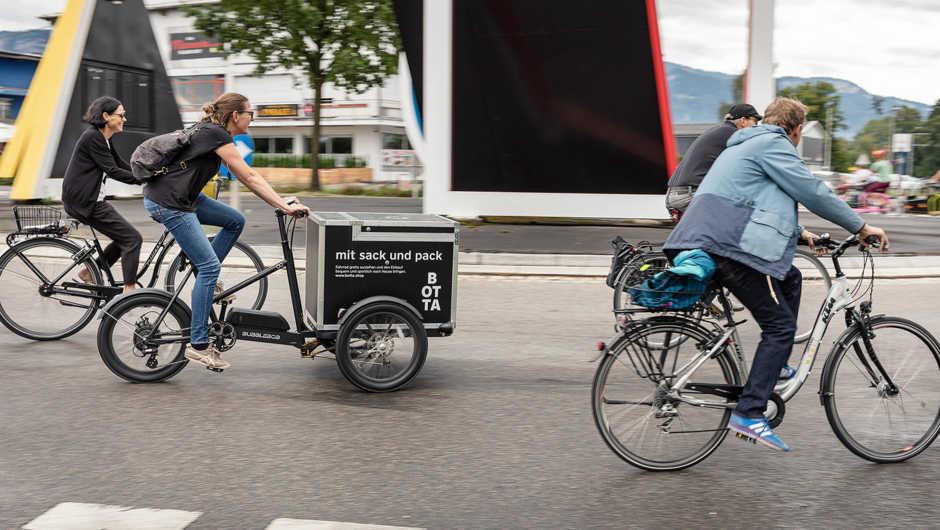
774 304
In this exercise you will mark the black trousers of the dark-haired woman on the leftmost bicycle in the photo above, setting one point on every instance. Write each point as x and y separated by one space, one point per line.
125 239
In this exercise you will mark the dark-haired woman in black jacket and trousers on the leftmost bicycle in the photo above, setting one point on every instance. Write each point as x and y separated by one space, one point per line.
93 161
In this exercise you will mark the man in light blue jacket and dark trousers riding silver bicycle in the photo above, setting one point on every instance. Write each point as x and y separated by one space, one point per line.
744 214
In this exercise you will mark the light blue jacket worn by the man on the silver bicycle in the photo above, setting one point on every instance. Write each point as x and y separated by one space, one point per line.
745 208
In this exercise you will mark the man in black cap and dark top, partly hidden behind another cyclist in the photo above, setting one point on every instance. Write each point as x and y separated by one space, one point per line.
702 154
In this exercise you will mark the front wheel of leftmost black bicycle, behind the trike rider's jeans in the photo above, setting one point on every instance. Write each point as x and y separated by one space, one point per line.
241 263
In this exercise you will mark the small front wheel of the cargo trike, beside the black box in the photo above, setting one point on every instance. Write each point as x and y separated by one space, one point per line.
381 347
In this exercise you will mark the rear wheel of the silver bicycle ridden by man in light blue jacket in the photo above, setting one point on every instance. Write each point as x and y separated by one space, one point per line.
640 419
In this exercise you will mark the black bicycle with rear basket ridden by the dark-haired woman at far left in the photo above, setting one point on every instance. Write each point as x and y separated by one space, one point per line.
43 299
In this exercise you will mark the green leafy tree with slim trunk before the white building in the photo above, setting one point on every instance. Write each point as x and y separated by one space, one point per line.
351 43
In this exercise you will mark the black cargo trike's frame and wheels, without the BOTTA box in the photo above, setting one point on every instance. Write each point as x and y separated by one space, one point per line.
380 345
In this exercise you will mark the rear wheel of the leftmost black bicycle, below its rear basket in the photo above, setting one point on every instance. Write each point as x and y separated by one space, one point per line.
34 307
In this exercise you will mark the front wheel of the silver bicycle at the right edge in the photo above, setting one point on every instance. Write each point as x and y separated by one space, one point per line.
873 420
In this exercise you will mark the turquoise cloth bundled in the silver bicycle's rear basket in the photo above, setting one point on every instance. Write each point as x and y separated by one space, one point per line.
679 287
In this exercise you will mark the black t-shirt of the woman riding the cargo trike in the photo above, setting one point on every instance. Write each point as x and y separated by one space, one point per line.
180 189
